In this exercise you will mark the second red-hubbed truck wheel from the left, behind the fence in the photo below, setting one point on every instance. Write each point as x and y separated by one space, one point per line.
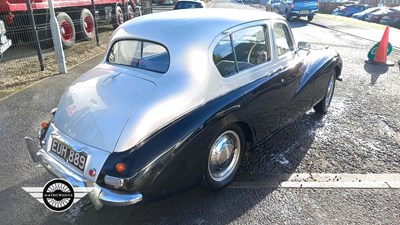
85 27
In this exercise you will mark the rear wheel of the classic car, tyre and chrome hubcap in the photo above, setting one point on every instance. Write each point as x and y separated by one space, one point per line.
223 159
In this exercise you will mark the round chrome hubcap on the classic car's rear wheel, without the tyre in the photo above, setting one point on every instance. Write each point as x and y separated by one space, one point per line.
224 156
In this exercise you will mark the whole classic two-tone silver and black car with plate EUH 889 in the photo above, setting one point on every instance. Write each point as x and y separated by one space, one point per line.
180 105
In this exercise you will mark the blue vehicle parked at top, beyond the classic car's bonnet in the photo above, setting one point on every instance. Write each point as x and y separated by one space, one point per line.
293 8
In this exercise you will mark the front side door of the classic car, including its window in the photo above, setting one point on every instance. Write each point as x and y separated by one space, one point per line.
296 93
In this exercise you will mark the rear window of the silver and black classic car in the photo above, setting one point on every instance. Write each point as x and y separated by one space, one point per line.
140 54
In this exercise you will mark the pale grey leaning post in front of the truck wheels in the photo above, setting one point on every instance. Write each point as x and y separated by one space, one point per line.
55 33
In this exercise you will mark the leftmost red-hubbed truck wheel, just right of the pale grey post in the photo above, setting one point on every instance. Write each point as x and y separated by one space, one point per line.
67 30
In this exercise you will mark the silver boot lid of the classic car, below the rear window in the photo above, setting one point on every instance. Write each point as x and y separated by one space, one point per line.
95 108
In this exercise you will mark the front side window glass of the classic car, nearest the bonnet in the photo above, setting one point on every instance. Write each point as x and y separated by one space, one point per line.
283 39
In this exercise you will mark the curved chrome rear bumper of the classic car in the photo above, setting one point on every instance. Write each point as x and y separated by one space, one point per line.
98 196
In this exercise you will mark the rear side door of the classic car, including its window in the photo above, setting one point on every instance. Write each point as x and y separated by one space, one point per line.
261 88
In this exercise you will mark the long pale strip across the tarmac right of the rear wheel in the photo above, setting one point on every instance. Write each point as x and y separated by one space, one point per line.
318 181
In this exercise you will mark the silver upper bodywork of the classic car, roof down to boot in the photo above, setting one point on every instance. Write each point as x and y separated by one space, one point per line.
113 107
